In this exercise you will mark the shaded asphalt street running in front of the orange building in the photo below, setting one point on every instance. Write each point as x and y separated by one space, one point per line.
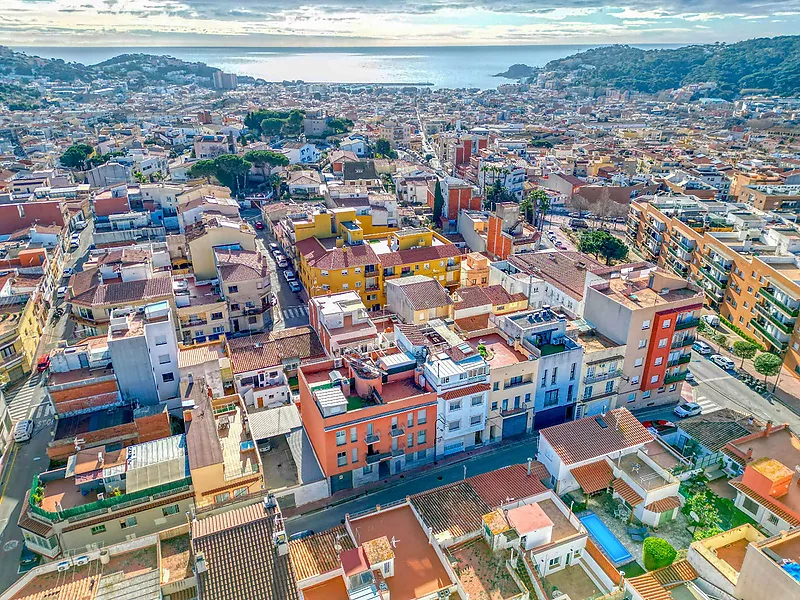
475 465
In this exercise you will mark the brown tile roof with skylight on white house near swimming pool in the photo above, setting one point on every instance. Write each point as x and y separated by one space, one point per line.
585 439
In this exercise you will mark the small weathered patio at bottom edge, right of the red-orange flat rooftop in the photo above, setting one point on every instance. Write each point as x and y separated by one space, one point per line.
483 573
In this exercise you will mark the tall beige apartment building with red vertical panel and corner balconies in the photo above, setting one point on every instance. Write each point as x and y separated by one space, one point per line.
655 315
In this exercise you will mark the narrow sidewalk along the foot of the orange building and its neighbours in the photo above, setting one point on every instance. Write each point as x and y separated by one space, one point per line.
400 478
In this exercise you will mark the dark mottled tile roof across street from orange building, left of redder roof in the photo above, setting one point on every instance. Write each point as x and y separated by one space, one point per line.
455 509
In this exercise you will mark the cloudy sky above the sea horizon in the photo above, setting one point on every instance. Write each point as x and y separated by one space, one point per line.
389 22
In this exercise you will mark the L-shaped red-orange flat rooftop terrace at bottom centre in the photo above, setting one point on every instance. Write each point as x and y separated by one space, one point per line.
418 570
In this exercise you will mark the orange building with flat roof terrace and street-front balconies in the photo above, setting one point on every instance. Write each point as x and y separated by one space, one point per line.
363 428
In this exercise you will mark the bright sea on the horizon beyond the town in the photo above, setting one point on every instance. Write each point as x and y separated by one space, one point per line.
443 67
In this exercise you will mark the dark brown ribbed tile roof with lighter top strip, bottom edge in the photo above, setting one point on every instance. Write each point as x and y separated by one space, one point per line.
241 556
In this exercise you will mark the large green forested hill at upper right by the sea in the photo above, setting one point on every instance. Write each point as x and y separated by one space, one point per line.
767 65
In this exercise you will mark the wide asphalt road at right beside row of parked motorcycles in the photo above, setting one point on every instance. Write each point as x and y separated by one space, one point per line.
714 387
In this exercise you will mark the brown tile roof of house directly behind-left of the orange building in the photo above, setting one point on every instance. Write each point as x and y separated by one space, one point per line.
270 349
